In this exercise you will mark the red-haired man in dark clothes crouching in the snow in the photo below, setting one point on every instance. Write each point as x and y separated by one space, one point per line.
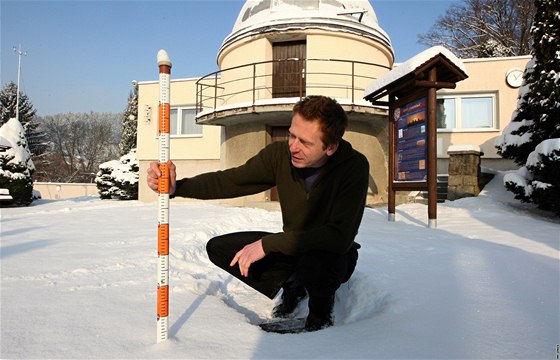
322 186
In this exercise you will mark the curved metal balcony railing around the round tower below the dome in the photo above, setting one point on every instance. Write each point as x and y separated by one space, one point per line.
255 83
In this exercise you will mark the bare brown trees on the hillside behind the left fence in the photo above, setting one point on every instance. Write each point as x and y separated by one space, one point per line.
78 143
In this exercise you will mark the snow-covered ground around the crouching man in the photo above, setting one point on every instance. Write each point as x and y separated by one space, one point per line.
79 281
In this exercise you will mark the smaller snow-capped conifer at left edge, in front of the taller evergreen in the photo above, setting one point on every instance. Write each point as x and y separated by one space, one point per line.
16 166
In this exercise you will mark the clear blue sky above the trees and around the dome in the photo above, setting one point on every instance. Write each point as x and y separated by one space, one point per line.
83 55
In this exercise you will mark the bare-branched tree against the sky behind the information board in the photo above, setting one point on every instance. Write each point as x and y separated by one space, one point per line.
484 28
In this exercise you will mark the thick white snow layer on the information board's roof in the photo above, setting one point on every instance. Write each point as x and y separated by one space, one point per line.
410 65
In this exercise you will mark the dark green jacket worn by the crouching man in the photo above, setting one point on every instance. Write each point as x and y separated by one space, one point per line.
326 218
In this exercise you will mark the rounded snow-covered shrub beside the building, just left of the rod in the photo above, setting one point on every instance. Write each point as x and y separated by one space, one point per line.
118 179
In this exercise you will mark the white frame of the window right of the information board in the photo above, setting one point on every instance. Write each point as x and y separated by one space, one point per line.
458 97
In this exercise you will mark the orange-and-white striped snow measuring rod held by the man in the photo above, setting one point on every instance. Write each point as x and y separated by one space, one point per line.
164 64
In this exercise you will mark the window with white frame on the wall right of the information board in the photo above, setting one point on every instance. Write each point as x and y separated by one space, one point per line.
466 112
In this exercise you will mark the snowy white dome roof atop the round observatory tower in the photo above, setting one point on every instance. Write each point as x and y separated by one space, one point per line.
258 16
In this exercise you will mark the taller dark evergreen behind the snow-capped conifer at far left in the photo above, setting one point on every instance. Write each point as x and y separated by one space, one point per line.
8 99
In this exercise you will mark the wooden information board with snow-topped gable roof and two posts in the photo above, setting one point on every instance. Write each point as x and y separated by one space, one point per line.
411 91
